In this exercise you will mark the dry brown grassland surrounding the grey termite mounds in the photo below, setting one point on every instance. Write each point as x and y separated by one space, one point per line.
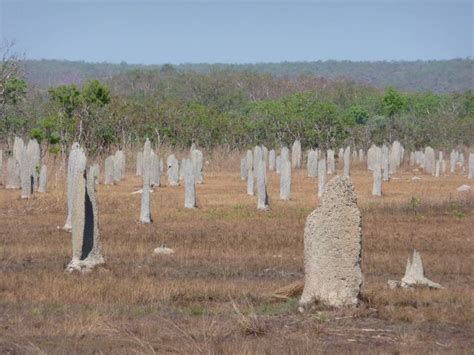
216 293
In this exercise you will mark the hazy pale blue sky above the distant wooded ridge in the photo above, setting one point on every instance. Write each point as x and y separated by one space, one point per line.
238 31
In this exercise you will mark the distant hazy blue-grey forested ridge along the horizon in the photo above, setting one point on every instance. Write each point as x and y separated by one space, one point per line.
454 75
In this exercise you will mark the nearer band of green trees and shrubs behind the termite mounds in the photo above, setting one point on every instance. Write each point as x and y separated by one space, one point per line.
235 109
